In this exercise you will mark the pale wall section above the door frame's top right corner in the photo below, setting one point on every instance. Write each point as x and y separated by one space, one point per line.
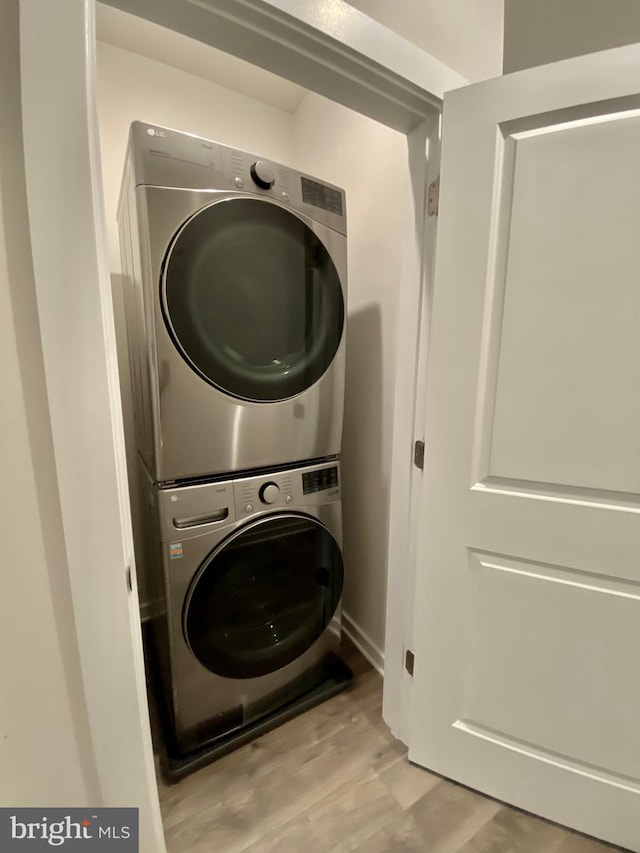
464 34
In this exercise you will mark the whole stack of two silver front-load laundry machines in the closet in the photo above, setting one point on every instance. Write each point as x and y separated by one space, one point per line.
235 275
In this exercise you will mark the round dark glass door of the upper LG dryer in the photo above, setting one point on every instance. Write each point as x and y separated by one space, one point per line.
252 299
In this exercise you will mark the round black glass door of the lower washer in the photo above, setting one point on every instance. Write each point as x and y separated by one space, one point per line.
264 596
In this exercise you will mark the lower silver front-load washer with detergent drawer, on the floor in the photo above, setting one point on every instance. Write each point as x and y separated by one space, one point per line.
250 591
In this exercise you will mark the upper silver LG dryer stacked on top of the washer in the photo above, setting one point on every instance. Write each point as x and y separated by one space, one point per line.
235 275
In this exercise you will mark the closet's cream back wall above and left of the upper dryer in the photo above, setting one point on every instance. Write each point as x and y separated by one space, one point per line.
132 87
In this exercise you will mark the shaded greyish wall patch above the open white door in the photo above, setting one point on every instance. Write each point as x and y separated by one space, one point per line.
549 30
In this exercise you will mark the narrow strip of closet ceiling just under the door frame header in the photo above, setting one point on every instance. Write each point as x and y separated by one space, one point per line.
147 39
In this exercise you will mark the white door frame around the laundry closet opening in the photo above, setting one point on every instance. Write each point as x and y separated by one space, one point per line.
348 58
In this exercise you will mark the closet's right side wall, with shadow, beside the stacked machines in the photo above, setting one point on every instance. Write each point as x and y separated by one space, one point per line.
369 161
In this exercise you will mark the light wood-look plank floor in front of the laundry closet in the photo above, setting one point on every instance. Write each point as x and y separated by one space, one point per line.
335 779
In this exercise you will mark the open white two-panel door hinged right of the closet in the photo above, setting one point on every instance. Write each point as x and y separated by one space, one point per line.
527 658
